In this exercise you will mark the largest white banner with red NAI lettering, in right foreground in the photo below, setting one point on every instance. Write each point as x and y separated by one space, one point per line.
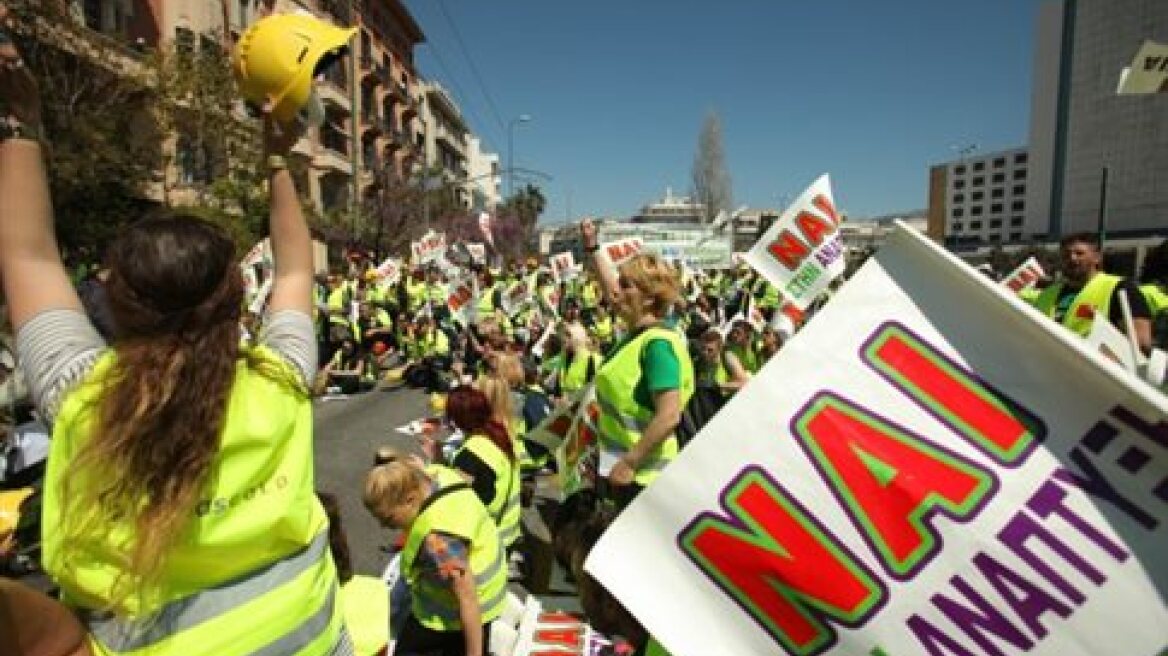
950 473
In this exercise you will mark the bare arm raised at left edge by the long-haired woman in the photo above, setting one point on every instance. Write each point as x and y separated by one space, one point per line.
34 278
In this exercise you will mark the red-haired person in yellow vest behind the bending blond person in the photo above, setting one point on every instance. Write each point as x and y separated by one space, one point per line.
489 458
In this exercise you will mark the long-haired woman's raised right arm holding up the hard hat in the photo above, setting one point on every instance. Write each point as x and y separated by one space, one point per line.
291 241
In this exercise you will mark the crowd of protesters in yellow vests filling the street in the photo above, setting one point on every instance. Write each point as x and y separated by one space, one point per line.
179 512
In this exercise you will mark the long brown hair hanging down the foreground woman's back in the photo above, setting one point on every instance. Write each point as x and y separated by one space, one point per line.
176 295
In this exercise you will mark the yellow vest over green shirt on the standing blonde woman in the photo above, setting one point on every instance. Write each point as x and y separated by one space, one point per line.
623 421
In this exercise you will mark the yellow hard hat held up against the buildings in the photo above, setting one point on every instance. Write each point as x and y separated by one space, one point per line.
279 58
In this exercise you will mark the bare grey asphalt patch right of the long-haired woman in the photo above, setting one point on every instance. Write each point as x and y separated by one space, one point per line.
347 434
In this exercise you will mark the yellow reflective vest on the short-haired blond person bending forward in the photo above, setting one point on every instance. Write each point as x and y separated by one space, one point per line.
458 514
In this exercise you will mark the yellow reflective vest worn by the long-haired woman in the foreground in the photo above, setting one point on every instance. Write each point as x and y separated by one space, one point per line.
252 571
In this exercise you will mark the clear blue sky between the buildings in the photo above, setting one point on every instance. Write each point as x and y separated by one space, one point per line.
617 93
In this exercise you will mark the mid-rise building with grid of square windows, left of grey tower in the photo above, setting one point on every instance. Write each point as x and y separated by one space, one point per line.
982 200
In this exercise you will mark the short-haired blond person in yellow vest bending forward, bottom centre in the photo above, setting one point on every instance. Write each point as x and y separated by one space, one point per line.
453 559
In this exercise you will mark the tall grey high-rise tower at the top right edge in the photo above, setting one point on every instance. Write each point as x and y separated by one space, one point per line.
1080 125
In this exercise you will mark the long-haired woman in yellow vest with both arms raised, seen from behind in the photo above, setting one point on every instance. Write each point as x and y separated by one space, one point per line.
179 508
